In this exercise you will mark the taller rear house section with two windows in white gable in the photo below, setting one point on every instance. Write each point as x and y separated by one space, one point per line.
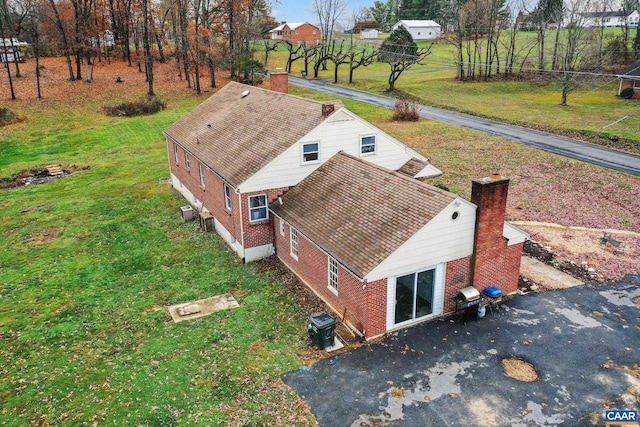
245 146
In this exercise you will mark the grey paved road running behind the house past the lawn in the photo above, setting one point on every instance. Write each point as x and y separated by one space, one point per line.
611 159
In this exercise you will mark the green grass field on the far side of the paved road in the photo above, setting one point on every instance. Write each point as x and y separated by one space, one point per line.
594 112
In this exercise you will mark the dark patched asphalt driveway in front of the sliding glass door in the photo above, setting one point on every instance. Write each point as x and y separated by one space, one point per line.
582 341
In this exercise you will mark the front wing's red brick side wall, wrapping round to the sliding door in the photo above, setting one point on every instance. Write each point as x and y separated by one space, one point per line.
364 309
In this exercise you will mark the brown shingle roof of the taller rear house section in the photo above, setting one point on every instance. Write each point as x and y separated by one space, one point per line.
238 135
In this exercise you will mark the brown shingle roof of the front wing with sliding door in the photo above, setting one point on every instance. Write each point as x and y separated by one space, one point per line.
358 212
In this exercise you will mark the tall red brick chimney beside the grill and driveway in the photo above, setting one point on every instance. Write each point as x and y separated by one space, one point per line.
491 262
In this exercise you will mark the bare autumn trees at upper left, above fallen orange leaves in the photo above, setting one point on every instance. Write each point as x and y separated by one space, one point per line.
205 34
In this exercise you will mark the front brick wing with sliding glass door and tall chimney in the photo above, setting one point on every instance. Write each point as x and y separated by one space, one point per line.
386 251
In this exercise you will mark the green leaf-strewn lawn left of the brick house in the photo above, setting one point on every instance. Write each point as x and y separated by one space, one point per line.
89 265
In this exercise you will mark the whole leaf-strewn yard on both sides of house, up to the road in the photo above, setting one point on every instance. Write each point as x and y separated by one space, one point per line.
90 263
